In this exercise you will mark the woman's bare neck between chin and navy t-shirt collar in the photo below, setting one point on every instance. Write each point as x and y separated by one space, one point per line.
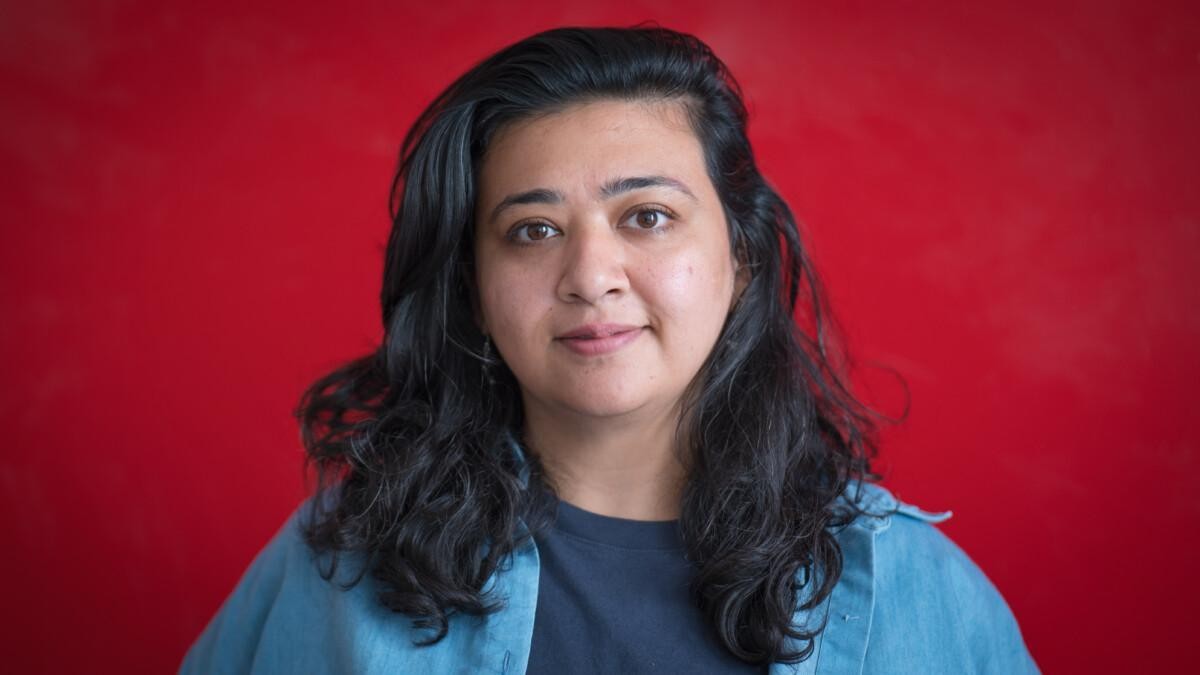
623 467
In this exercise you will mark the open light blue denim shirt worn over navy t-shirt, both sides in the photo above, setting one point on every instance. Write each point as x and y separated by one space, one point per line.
909 601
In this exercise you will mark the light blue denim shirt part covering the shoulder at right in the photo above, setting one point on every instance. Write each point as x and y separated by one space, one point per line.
910 600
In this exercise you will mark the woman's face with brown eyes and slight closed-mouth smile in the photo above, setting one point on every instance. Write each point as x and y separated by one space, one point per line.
603 258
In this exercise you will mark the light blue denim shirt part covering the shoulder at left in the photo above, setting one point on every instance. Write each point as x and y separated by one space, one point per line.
293 613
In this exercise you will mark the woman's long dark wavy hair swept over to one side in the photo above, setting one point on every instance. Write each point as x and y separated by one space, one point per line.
410 443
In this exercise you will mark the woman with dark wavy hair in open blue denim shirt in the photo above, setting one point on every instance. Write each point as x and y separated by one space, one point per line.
595 439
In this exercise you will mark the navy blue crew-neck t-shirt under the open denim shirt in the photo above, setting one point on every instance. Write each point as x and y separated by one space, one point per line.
613 598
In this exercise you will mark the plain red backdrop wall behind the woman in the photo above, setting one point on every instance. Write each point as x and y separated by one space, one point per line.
1004 202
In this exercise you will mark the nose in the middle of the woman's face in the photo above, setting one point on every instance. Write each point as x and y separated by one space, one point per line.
595 266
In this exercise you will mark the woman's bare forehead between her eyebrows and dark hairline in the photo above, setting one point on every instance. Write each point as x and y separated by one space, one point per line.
590 144
